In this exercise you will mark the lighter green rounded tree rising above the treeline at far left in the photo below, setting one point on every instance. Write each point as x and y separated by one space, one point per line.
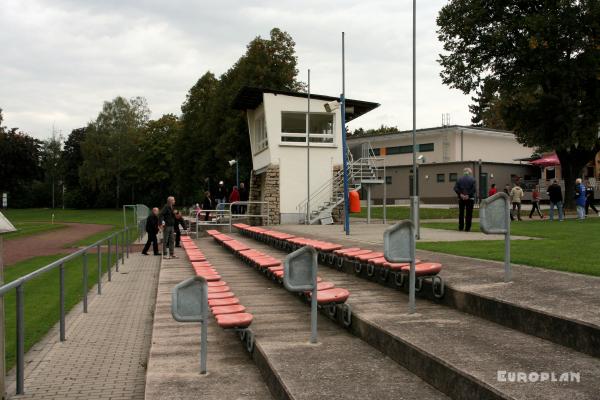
111 147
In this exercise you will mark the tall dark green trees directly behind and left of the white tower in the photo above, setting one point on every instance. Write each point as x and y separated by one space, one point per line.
208 120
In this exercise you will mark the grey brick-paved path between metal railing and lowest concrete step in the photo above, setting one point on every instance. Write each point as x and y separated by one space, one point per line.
106 351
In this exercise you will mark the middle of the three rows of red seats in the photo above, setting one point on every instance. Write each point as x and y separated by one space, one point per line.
327 293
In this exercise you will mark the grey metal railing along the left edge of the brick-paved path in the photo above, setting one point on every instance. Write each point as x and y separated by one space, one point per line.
123 237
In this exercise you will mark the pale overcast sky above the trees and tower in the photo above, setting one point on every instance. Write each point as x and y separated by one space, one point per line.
62 58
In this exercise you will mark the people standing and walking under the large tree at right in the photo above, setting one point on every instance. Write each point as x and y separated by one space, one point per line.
465 188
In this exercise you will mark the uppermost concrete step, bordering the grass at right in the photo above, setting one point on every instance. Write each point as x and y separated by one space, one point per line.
556 306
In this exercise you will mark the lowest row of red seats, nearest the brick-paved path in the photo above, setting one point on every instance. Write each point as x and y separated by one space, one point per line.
225 307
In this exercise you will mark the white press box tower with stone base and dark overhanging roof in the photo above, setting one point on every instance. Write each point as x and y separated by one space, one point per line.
277 124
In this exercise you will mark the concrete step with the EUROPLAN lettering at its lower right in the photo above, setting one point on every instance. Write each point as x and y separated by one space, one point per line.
458 353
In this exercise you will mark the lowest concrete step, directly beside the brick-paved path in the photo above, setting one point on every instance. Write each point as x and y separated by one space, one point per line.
174 363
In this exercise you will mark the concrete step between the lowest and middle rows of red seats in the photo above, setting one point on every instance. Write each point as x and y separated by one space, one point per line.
340 366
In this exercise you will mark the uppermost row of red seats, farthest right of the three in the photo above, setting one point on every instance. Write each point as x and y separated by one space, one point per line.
336 255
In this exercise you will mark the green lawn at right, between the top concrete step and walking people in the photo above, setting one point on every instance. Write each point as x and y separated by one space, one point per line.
566 246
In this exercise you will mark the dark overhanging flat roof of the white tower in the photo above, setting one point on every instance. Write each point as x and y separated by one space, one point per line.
248 98
